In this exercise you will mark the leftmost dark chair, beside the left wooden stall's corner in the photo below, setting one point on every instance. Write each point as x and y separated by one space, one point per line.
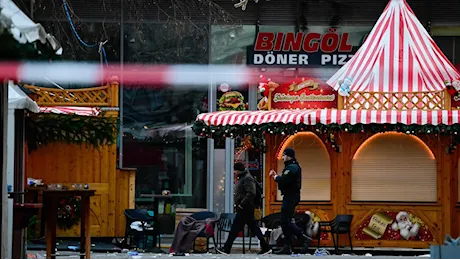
142 216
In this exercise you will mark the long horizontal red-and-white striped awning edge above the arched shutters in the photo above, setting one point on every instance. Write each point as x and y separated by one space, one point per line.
331 116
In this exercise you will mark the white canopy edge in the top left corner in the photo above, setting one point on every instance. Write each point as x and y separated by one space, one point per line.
23 28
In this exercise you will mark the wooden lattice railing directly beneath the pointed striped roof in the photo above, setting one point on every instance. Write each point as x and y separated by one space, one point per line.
397 101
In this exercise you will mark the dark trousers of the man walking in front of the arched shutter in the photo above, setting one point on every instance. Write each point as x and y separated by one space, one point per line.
287 214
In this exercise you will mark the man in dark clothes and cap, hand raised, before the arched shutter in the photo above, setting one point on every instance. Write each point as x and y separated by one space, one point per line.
289 183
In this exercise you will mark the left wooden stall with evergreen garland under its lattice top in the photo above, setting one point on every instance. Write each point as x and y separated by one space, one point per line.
72 143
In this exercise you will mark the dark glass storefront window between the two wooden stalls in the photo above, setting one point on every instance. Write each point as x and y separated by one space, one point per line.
158 139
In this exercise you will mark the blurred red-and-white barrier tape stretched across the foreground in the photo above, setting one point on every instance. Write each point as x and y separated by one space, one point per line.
152 76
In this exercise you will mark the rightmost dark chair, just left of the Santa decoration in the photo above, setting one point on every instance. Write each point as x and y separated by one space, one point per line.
341 224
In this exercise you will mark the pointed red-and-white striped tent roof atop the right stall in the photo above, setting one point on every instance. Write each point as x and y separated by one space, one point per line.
398 56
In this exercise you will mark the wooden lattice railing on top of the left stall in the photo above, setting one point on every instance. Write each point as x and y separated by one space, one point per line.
105 96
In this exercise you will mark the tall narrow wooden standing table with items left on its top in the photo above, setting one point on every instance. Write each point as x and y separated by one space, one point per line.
50 203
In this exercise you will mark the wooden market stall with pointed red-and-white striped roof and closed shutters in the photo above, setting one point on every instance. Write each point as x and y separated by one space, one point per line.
377 140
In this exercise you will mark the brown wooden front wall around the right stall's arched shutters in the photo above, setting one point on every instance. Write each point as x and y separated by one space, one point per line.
440 217
